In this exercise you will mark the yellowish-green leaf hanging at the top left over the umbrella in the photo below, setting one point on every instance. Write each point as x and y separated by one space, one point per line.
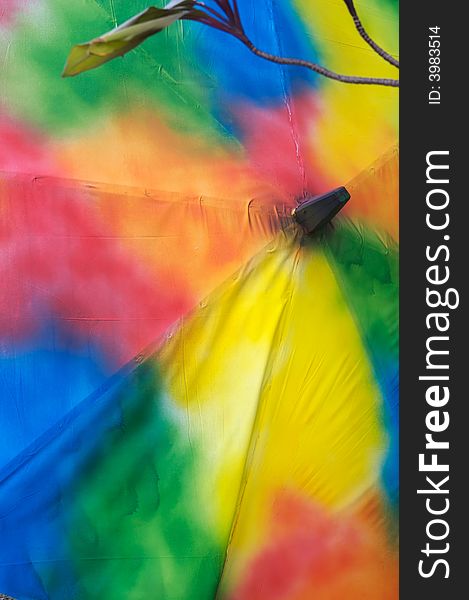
124 38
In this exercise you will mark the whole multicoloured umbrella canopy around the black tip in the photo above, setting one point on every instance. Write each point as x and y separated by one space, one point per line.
253 452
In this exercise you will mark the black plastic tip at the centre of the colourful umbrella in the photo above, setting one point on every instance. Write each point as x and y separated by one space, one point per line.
314 213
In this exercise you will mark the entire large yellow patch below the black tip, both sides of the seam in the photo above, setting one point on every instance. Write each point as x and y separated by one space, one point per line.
275 398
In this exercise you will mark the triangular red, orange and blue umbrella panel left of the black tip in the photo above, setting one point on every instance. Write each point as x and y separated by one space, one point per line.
92 274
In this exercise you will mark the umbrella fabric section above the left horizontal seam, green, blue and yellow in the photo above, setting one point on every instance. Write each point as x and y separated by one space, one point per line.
192 110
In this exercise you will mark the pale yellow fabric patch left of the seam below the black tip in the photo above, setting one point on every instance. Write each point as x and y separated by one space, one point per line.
213 366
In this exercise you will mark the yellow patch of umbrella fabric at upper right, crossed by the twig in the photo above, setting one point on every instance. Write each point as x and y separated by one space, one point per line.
340 139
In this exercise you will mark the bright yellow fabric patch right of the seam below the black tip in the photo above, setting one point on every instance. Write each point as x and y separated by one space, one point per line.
318 428
